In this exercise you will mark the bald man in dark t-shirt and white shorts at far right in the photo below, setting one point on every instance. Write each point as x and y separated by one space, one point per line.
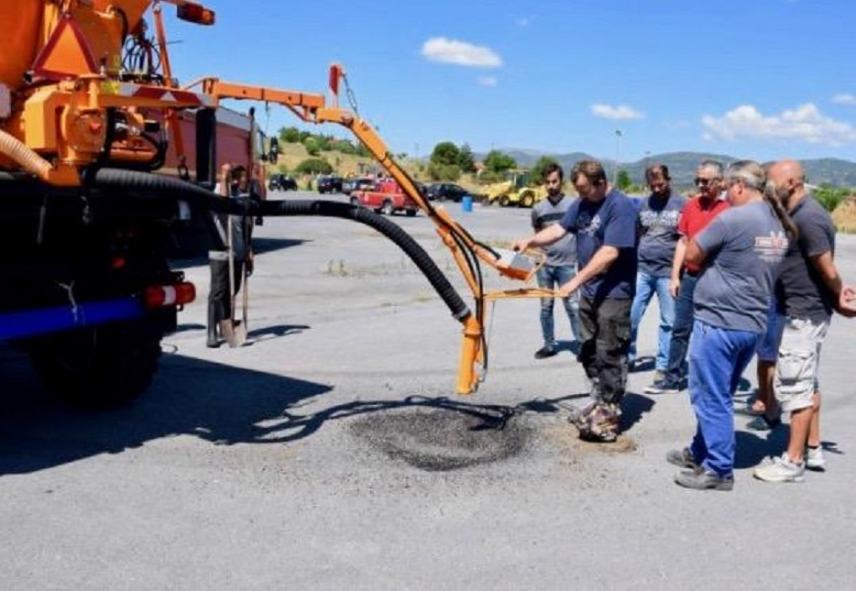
808 290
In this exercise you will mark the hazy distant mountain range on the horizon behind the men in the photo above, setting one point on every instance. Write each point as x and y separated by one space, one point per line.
682 165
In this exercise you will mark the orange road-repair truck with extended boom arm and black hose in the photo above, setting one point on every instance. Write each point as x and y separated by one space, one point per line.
102 152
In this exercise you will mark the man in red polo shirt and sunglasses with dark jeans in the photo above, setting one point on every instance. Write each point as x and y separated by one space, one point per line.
695 217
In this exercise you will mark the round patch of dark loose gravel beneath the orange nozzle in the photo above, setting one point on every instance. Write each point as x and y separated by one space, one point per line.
441 439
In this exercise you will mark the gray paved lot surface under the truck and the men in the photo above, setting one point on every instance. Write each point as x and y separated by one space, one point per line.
332 452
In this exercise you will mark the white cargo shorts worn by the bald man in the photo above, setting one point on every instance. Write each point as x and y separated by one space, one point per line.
797 366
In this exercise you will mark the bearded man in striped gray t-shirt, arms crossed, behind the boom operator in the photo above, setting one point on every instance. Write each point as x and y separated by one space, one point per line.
561 264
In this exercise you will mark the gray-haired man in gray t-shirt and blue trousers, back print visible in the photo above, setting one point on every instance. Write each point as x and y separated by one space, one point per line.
739 254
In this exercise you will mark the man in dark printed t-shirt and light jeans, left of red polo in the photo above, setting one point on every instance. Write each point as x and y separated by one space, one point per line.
659 215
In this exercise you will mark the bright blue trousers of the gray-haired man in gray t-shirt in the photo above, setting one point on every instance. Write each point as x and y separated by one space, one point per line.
718 357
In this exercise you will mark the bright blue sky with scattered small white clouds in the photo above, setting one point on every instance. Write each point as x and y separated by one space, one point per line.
758 79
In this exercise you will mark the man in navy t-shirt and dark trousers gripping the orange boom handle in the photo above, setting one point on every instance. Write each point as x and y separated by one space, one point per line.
604 222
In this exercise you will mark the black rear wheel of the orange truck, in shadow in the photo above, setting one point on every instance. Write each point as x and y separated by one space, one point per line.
101 366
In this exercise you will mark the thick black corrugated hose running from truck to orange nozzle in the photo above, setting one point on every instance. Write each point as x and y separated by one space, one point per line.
143 184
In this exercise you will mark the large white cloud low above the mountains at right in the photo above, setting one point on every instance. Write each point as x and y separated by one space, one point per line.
805 123
